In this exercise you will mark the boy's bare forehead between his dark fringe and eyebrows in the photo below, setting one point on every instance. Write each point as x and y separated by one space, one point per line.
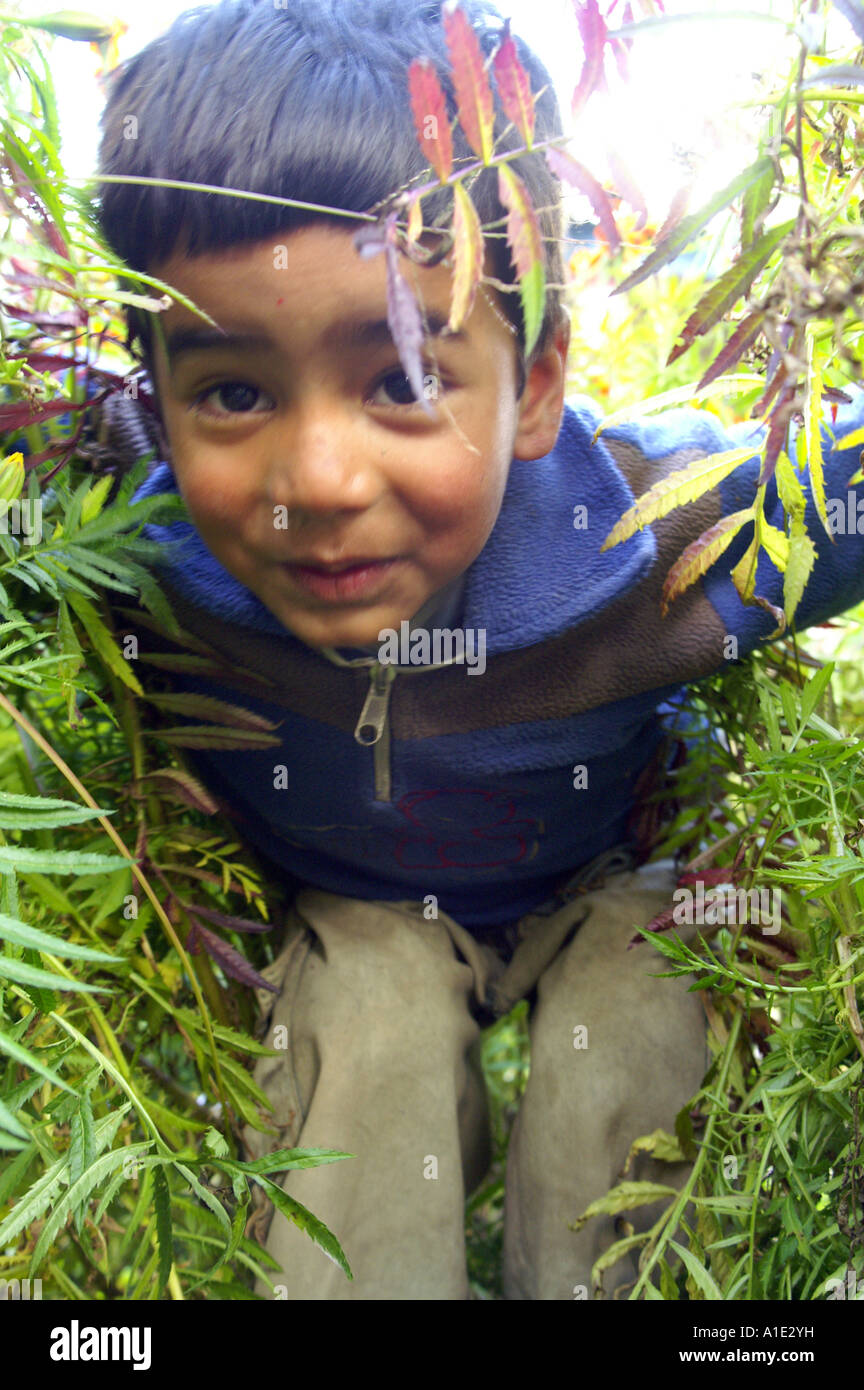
312 277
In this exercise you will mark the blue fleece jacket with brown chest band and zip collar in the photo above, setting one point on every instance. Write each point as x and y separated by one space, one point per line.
487 790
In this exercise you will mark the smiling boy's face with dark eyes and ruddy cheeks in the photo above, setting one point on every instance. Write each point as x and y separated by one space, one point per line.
299 448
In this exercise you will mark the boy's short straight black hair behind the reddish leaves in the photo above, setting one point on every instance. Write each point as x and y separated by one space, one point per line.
305 99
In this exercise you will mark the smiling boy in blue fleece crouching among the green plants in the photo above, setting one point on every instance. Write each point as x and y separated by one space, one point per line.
459 814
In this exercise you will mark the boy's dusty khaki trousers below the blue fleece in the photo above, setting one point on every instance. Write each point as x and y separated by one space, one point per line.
380 1057
